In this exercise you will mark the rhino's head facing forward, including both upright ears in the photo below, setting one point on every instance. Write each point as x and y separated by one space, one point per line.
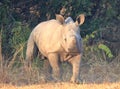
71 40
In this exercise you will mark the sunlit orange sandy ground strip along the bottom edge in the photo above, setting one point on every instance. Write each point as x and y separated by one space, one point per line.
64 86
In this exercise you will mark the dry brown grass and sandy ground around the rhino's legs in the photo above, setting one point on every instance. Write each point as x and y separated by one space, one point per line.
96 74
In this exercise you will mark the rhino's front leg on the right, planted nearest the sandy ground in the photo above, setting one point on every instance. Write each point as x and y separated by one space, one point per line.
75 61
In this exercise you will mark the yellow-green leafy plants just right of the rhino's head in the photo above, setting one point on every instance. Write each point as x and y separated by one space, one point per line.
97 47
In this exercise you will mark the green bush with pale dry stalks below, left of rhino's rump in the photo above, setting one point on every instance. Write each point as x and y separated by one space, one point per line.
19 35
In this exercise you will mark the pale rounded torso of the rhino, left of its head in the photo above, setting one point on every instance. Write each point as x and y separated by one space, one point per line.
47 36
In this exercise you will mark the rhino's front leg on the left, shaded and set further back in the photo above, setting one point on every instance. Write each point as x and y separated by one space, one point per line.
55 64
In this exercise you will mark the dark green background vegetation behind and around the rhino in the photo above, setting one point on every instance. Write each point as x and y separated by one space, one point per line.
101 30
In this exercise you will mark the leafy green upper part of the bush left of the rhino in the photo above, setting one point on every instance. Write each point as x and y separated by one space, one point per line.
19 34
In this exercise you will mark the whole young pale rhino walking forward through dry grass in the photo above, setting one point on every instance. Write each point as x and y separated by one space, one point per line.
58 40
